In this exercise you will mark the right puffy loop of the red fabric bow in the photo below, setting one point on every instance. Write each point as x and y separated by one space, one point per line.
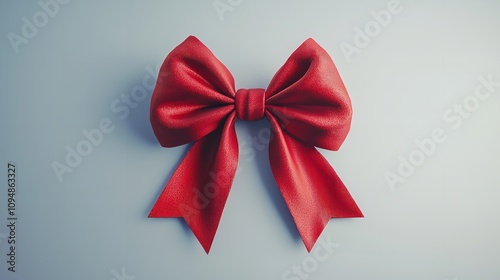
309 97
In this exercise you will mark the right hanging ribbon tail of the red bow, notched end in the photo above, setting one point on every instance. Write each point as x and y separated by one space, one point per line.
310 187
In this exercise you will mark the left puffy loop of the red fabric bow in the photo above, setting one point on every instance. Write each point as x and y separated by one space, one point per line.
193 96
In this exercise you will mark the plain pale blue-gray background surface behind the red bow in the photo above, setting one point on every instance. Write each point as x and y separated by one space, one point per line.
441 223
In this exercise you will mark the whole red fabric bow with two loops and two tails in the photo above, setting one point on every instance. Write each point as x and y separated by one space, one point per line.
307 105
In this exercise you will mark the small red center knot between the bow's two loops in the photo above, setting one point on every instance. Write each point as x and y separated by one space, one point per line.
250 104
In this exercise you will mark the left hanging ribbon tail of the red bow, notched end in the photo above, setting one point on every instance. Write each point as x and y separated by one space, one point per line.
199 187
